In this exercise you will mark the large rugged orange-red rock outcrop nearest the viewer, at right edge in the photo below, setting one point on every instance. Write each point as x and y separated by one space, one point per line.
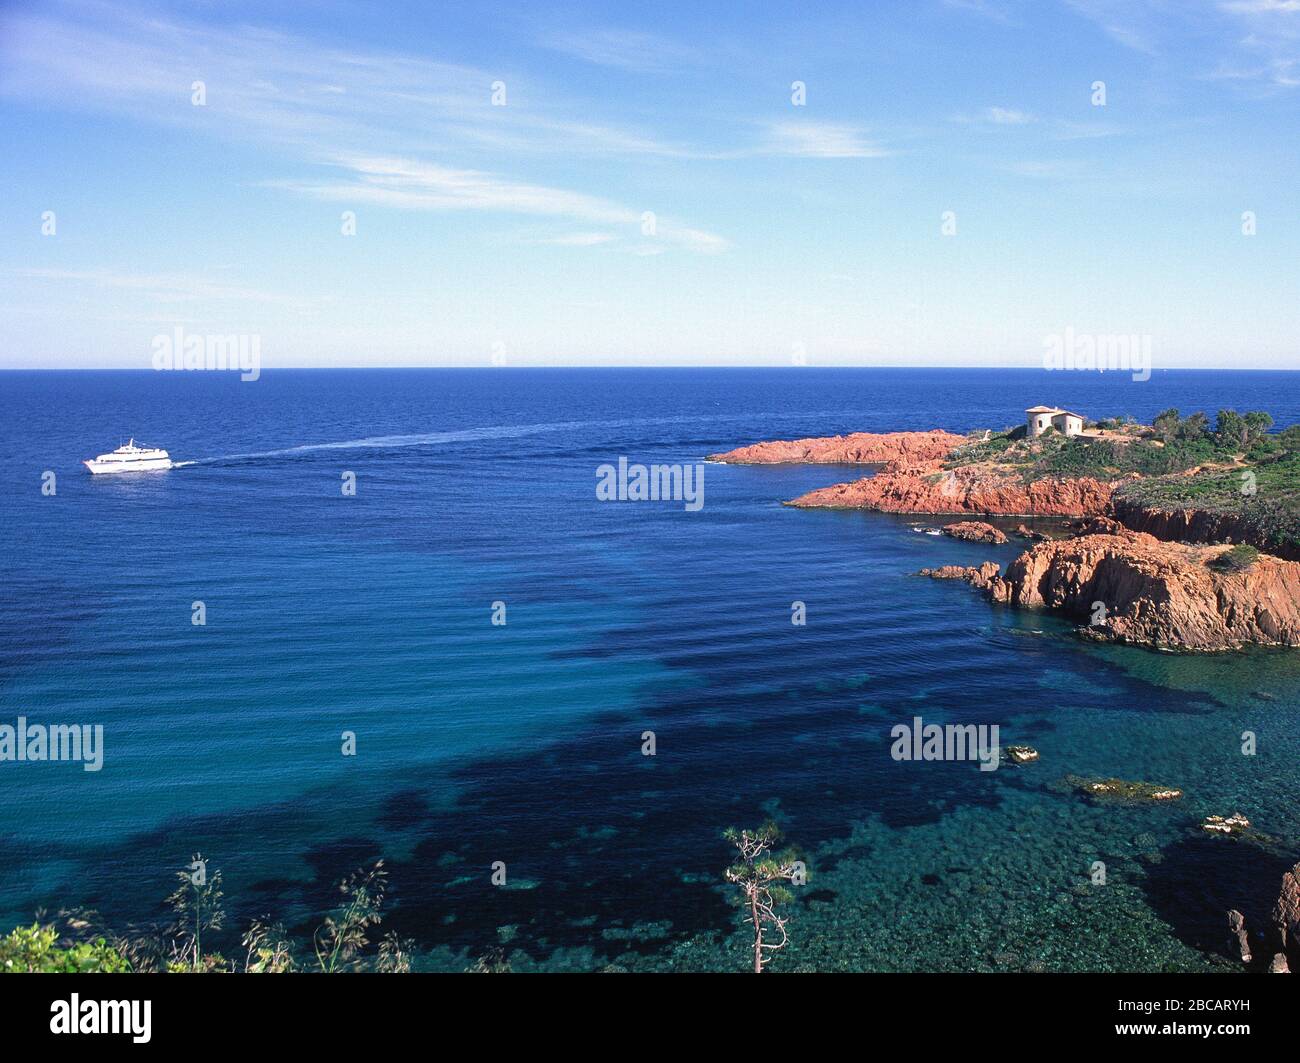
1158 595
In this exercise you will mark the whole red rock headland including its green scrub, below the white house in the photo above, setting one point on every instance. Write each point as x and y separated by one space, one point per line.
1169 544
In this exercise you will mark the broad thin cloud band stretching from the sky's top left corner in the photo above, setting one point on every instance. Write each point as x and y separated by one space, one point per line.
293 92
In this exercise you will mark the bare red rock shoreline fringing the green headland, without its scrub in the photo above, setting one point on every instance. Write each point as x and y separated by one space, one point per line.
1121 583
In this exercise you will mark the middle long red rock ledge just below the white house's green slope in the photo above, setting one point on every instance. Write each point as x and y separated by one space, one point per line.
964 492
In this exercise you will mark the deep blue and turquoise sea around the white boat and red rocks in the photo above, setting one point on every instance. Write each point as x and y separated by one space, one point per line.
522 743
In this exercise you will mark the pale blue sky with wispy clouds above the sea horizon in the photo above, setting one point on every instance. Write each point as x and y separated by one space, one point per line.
518 229
